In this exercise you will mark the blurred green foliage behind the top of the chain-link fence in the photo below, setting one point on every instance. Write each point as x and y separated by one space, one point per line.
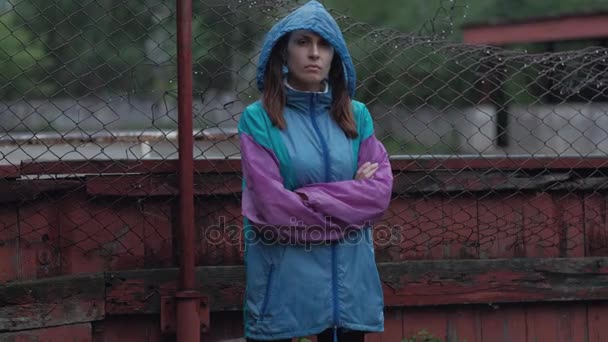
90 47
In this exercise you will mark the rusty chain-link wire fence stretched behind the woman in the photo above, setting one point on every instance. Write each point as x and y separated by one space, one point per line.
497 153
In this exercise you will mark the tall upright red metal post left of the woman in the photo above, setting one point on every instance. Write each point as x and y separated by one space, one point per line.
187 299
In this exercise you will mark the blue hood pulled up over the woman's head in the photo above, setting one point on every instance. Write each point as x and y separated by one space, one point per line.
313 17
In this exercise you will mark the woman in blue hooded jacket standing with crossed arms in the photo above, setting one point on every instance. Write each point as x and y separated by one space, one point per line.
314 179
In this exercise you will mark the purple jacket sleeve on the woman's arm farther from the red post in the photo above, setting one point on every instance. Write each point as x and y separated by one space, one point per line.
356 202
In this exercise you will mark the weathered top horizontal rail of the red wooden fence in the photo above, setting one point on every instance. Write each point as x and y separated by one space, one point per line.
413 182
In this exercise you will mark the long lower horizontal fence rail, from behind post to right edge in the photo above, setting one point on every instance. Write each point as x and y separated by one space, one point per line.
410 283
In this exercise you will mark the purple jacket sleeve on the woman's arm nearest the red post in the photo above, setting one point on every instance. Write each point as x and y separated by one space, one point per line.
272 207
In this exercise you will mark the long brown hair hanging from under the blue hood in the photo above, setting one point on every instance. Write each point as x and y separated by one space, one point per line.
273 96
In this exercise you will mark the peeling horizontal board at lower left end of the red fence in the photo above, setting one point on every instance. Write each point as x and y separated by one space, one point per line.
51 302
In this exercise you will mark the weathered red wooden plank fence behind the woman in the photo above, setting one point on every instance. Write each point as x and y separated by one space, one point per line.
471 248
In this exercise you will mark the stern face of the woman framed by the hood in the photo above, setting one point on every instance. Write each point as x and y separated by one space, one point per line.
308 60
